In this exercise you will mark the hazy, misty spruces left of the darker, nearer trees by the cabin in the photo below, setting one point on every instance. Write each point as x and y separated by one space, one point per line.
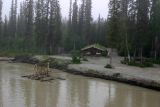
37 27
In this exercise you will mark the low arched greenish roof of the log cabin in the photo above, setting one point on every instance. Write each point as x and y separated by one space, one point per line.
97 46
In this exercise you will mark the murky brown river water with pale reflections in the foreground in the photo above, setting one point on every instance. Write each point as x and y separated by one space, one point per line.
75 91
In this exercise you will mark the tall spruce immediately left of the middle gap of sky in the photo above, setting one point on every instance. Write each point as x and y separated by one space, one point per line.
54 33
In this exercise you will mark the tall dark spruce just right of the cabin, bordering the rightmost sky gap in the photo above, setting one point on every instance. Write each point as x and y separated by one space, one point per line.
113 25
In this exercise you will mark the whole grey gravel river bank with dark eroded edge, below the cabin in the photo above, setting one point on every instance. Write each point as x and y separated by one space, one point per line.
94 67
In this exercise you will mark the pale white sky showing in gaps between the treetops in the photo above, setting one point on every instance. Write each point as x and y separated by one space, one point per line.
98 7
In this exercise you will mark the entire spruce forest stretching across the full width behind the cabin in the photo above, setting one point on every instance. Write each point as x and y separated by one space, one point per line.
132 26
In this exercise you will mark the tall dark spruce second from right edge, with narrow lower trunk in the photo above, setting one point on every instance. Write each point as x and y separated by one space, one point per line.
142 25
